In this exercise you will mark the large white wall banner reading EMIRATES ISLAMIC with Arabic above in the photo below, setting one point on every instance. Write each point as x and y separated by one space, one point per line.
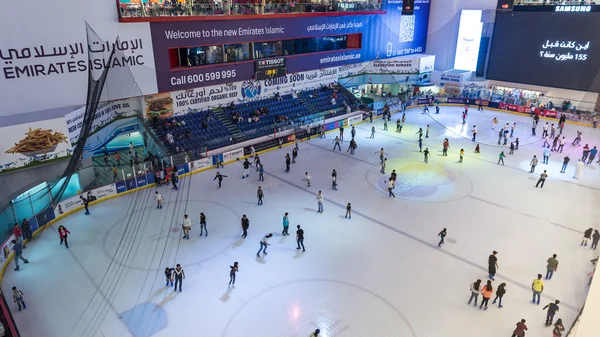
49 51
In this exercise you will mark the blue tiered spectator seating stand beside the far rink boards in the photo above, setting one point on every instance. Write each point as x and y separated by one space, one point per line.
212 129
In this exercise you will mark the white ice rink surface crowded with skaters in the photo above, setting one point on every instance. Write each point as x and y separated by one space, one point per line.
377 274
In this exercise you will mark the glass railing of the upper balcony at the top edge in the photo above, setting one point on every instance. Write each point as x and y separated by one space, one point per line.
128 9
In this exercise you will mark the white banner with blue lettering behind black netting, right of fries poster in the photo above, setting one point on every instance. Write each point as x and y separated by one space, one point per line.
105 114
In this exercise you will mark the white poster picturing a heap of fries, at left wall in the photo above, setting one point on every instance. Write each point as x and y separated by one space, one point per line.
32 144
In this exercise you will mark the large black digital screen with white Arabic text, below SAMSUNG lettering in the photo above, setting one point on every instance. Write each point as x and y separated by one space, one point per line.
551 49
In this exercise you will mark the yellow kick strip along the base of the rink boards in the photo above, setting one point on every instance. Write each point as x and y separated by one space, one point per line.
50 223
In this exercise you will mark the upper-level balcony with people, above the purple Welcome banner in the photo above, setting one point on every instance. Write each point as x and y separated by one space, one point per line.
187 10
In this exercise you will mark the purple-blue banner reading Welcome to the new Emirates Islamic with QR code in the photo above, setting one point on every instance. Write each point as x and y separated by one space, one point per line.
383 36
